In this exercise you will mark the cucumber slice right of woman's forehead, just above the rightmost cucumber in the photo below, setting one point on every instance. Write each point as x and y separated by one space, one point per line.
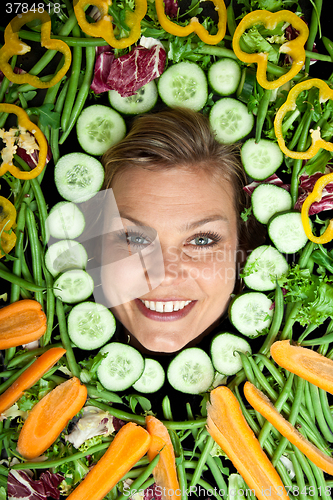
267 200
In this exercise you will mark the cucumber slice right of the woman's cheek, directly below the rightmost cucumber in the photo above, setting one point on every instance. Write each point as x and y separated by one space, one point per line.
264 265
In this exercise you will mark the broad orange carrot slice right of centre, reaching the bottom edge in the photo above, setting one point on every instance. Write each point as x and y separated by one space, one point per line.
228 427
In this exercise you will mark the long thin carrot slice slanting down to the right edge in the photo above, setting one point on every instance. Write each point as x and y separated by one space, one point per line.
264 406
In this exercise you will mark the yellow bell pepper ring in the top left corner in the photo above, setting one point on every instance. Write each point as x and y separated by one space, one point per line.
14 46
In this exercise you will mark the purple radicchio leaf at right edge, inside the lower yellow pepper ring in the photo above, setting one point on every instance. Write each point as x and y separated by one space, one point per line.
306 185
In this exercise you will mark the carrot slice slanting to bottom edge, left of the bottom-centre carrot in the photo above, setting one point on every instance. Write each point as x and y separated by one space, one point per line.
129 445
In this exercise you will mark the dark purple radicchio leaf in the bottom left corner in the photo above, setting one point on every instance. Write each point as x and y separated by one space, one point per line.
22 487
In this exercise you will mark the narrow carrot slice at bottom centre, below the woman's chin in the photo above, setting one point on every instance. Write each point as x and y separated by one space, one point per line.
165 473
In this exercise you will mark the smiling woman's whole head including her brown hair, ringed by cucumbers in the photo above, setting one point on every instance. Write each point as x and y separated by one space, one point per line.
179 195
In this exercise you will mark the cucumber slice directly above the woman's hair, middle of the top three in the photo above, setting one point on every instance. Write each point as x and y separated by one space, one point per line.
184 84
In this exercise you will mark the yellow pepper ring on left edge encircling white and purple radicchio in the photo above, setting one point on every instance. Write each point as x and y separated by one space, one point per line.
23 121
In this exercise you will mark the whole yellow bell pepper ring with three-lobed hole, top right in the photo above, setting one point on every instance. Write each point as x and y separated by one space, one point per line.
293 48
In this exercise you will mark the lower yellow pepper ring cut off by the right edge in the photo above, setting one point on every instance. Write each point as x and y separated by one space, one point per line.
316 195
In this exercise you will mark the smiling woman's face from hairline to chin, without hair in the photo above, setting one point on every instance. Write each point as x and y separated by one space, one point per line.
196 222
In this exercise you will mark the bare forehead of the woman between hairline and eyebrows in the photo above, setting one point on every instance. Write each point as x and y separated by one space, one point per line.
173 192
